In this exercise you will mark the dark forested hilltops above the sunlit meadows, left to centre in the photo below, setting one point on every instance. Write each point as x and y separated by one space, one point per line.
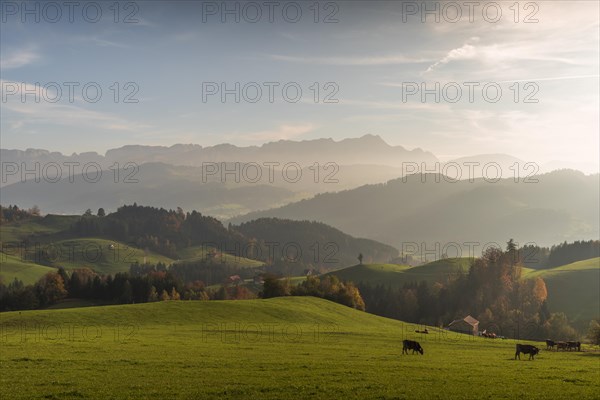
173 233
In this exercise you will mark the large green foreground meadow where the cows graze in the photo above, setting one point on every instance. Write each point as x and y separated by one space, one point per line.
284 348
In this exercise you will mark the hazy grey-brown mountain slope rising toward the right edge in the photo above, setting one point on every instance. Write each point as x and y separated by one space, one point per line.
427 209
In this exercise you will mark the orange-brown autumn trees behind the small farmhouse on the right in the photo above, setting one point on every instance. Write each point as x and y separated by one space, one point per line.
492 292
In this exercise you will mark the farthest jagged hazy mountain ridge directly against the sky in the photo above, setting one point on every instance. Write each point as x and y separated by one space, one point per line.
368 149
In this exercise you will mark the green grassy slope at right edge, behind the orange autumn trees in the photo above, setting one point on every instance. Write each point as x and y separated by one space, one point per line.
573 288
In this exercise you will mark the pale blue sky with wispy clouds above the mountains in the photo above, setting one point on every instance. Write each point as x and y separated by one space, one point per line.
324 70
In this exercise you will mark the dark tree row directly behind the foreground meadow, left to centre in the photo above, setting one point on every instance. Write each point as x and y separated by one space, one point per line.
150 283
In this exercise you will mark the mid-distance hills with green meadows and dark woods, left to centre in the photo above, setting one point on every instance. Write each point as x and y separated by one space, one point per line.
138 234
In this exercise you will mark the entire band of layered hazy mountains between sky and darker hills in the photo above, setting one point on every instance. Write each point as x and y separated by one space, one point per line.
342 183
